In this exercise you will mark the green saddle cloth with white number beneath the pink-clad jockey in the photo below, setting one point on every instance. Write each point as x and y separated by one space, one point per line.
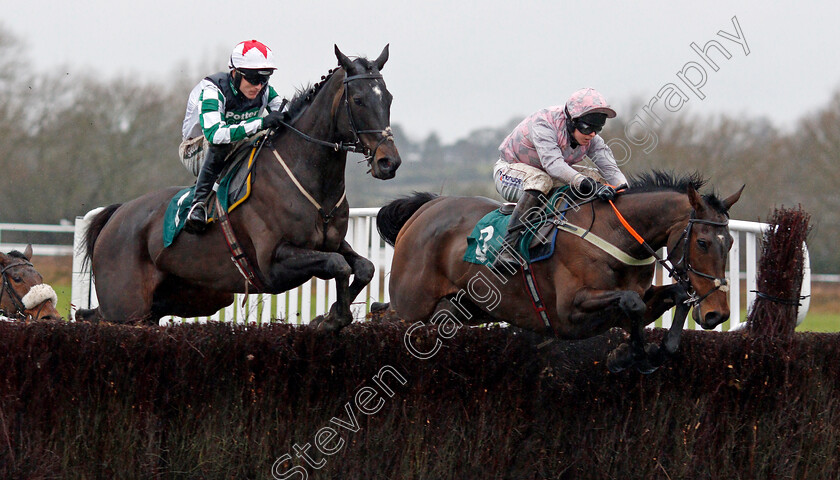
485 241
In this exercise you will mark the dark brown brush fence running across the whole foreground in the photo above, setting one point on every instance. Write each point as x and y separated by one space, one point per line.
211 401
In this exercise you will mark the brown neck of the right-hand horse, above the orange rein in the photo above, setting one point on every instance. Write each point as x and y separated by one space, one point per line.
656 215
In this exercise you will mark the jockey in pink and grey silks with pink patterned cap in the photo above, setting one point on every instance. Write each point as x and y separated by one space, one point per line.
538 156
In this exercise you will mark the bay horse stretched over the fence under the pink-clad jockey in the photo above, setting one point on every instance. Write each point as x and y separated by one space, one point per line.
585 290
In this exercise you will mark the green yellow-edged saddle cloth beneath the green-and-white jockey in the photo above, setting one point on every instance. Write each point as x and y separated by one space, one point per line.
233 189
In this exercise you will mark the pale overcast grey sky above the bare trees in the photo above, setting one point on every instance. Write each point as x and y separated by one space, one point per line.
457 66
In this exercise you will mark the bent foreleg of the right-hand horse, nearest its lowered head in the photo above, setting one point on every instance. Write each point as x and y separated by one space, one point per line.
660 299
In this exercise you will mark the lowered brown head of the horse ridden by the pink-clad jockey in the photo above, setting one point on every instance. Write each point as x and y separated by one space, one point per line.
704 247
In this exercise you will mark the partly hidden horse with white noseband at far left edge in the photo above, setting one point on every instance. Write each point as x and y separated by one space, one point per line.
23 293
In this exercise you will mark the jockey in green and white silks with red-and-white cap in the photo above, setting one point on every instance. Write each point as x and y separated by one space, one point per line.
223 109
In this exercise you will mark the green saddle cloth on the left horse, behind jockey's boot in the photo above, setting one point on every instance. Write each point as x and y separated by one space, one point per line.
234 189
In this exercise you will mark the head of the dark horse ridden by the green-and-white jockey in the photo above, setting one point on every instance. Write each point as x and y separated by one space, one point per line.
369 112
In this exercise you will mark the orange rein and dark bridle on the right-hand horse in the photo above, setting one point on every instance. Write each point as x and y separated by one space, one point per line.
674 270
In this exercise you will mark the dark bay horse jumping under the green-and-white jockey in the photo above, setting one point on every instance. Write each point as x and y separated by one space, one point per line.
291 228
